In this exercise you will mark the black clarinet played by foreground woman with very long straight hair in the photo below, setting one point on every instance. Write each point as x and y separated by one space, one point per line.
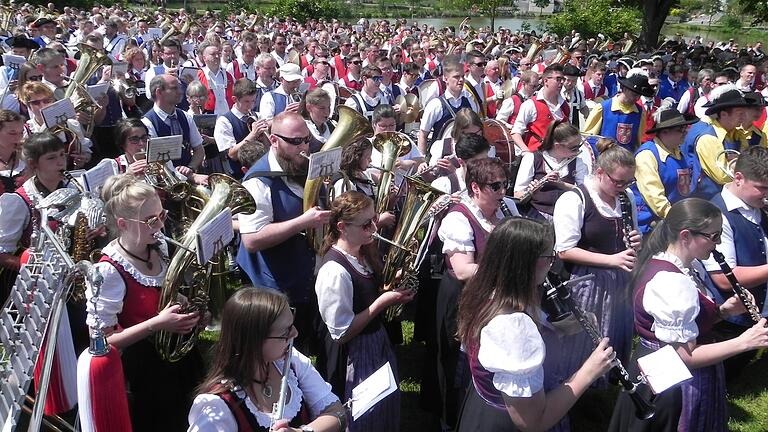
644 409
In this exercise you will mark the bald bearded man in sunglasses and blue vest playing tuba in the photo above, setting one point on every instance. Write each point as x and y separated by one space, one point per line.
273 252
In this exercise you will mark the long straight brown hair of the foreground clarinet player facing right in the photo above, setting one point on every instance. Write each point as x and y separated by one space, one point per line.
505 276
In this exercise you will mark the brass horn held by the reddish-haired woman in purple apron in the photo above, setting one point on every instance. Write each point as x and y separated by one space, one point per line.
409 241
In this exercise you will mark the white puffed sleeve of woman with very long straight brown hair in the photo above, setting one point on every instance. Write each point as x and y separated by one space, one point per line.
512 348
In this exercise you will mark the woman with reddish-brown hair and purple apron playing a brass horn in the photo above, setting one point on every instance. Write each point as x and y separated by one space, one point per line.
348 290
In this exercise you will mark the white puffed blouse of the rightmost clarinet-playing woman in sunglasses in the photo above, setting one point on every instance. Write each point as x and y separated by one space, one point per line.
672 299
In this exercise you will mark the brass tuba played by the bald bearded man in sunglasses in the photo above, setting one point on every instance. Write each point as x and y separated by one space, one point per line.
351 127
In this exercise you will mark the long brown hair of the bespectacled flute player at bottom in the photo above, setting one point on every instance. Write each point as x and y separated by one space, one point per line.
246 320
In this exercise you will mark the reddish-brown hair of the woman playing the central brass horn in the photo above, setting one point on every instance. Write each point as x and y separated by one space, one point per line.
344 208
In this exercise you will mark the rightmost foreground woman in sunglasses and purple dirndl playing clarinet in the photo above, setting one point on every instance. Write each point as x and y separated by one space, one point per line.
673 306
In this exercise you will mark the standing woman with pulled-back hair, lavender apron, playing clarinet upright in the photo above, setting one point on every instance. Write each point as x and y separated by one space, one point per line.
596 234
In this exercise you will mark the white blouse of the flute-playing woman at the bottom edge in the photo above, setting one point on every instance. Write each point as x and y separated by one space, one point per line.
209 413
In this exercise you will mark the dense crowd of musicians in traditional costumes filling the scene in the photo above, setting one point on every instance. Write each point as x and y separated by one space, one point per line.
554 157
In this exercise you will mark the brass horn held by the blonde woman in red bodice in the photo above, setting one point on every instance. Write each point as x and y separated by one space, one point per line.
183 271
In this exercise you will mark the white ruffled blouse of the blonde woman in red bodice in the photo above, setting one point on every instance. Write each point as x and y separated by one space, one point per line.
110 301
